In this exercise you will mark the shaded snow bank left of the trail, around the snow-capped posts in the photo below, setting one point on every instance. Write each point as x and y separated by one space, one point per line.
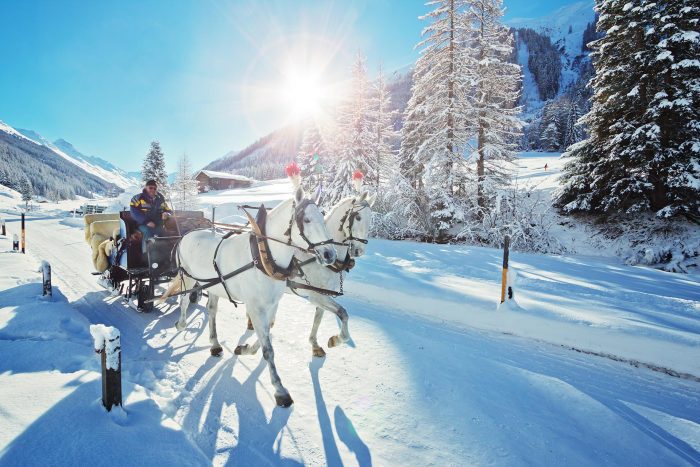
50 386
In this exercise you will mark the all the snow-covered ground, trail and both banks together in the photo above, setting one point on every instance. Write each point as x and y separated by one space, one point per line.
578 370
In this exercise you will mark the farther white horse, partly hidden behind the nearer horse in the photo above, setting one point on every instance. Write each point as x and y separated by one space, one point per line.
348 222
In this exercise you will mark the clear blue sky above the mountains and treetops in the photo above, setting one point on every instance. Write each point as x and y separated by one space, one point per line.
201 76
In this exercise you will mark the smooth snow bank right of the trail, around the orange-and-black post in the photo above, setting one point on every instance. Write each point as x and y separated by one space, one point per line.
596 304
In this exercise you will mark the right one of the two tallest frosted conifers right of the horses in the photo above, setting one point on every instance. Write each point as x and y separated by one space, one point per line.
493 102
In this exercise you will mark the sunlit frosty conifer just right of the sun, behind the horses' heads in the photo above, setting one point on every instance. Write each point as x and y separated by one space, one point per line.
354 138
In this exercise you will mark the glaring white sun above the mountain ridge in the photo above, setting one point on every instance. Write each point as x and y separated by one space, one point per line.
303 93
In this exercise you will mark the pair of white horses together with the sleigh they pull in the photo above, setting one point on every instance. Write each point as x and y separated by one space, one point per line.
293 247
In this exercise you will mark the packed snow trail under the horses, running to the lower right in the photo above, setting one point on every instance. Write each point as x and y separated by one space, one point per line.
412 391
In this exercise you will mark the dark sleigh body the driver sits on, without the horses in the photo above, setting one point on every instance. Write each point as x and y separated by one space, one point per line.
135 274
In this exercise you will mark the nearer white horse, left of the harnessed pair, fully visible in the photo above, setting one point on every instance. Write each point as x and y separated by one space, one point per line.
299 224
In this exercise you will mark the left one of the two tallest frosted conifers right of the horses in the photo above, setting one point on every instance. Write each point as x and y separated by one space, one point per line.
436 131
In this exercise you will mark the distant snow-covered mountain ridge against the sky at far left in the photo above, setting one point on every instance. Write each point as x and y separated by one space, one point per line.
91 164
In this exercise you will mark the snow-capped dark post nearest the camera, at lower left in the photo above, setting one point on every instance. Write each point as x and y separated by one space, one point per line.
108 343
